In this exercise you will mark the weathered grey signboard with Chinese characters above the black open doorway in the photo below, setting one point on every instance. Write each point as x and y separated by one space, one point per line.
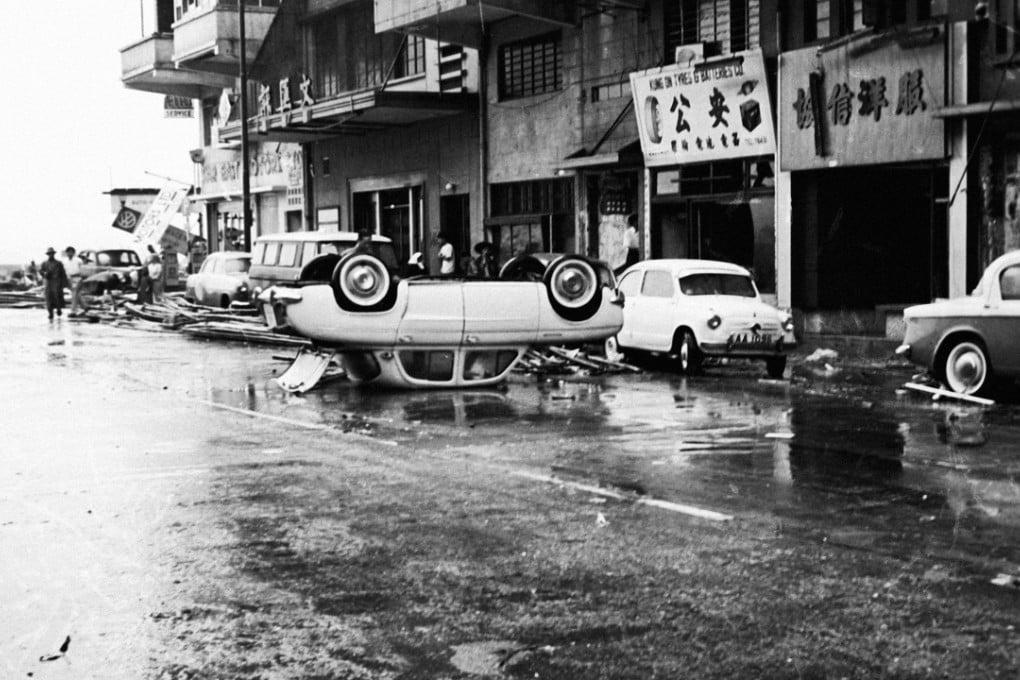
841 109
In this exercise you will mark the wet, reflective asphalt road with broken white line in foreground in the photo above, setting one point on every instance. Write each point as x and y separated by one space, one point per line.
179 516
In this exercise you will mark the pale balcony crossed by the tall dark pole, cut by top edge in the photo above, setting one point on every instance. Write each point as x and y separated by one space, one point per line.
210 41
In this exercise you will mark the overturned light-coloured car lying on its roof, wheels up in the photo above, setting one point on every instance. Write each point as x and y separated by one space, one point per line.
426 332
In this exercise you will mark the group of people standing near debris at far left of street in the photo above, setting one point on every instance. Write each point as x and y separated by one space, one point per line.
67 273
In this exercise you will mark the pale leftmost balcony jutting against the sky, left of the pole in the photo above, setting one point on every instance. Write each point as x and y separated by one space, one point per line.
148 66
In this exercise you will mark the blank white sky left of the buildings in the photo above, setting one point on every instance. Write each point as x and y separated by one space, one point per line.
71 131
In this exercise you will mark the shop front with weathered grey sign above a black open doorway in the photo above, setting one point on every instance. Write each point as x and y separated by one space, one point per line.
870 179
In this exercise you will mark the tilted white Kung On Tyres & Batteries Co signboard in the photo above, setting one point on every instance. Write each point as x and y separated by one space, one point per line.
704 112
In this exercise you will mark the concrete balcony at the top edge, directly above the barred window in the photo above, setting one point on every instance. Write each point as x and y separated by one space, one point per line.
457 21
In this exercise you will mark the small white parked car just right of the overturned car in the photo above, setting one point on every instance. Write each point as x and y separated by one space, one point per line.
694 309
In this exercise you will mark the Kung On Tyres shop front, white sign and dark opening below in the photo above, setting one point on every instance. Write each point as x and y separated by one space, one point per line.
709 146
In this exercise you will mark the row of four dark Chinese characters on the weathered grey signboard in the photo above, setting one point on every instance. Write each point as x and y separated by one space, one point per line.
872 95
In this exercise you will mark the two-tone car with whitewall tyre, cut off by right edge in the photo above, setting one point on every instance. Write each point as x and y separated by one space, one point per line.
970 343
